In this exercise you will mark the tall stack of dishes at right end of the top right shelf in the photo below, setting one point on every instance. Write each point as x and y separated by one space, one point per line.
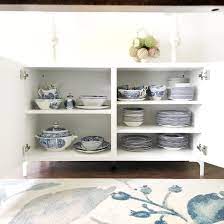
180 89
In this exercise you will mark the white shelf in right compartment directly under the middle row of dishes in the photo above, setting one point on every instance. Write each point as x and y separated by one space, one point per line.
157 129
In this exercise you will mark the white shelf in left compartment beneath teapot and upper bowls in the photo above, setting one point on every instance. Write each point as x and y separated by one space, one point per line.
64 111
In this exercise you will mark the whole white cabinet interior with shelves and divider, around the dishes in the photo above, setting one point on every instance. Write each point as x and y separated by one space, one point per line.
104 81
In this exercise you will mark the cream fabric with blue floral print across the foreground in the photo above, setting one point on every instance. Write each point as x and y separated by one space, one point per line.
111 201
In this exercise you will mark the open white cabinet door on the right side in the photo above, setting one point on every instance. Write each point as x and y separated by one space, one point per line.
211 142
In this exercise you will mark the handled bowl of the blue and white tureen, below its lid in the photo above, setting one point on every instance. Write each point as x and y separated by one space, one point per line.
55 144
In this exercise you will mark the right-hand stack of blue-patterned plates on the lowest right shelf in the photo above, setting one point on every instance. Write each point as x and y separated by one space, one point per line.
173 141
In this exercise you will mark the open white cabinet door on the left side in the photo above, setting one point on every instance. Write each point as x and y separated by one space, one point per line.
12 119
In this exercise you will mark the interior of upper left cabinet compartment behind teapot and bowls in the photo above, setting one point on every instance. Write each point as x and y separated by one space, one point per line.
68 80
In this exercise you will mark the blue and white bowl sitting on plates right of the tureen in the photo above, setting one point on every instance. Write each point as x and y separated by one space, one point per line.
92 142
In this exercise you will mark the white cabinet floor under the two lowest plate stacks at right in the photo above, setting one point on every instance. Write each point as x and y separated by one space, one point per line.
156 155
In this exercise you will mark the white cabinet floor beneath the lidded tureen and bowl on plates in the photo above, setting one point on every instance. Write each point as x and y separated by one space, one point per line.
67 155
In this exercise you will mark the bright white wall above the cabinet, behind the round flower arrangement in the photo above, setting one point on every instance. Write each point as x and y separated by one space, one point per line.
106 37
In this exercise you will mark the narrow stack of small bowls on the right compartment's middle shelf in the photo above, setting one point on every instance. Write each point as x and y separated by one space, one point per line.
133 117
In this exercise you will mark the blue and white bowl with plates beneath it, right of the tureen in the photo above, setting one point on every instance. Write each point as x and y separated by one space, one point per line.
92 144
